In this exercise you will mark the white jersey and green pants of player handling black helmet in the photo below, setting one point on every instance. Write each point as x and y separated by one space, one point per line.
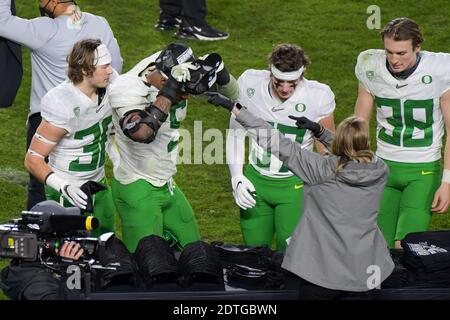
145 195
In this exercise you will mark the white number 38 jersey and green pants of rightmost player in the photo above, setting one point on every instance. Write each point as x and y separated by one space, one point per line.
410 127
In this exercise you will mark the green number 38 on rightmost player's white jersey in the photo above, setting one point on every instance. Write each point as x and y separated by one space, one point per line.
404 125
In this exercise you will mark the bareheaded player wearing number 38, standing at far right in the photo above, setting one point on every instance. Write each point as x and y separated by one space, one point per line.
410 90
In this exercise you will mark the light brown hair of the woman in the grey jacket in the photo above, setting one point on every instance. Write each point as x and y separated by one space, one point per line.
351 142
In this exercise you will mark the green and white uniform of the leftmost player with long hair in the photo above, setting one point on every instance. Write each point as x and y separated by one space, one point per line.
80 155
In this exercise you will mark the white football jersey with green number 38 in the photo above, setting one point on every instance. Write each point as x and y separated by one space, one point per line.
410 125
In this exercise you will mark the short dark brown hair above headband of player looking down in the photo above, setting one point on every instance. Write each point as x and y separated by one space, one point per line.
288 57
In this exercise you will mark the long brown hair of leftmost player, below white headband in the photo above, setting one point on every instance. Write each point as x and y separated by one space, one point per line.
81 60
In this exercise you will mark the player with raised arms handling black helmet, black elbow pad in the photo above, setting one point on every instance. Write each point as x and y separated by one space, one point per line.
146 197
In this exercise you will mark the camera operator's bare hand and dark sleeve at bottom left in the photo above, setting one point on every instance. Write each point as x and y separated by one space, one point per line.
23 280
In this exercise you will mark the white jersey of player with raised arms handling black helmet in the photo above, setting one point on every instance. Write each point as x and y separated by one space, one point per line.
154 162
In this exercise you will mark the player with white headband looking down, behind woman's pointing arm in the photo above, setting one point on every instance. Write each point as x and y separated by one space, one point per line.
269 195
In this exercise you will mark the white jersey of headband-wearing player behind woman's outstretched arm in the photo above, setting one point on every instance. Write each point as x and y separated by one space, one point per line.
311 99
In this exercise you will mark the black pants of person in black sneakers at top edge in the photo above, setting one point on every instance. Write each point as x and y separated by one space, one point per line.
192 11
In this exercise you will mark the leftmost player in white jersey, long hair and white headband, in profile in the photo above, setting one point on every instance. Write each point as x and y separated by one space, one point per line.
74 133
